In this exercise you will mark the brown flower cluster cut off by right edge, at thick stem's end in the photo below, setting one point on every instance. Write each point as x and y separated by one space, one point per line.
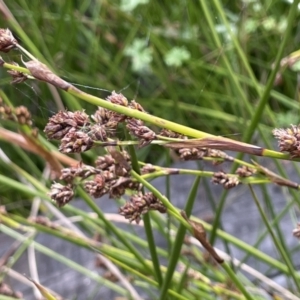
289 140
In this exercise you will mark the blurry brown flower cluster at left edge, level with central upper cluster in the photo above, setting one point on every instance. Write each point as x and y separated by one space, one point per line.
19 114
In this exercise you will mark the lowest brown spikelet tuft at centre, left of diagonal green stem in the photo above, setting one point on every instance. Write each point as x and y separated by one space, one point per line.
140 204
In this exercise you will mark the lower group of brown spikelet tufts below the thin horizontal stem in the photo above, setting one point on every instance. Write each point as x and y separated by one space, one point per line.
111 175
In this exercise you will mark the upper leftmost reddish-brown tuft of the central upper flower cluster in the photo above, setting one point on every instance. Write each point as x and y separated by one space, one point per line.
61 123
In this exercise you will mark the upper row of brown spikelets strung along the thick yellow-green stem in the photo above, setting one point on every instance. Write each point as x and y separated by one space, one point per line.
78 132
